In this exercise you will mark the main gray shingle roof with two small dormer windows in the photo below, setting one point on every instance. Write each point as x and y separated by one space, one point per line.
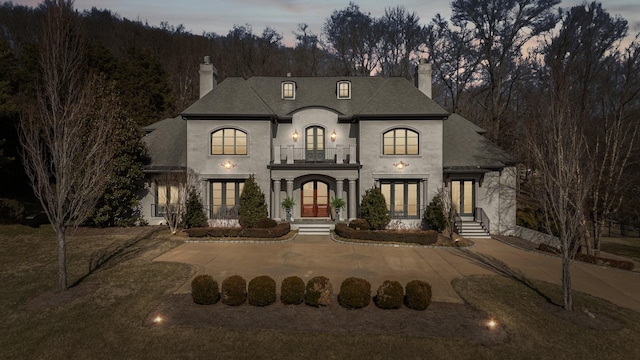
262 97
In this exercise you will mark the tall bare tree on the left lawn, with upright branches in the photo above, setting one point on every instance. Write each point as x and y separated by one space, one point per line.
67 140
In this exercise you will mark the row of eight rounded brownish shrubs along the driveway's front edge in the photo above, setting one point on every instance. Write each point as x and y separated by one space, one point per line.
355 293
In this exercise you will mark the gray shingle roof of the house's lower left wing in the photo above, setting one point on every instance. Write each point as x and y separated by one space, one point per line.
167 145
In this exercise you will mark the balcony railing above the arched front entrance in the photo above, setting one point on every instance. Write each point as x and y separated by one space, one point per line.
288 154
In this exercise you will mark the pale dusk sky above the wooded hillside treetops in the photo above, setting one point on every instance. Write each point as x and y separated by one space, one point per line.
219 16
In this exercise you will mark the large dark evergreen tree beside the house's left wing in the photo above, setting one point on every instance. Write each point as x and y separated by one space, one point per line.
120 202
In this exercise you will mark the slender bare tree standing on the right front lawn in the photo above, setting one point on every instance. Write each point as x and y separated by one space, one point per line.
562 178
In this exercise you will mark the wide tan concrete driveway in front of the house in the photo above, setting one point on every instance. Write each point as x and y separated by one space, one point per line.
309 256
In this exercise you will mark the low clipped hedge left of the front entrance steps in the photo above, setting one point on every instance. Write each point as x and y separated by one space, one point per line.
267 228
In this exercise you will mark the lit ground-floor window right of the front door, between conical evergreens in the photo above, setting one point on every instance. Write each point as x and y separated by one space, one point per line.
403 198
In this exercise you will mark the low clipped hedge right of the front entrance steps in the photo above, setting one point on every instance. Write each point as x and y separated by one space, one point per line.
355 230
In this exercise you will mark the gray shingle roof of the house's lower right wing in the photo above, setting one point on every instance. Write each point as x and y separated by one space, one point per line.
466 150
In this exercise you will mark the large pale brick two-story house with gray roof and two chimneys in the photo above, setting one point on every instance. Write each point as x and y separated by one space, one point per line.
313 139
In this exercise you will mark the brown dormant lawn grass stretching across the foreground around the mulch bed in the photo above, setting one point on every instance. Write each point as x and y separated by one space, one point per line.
105 317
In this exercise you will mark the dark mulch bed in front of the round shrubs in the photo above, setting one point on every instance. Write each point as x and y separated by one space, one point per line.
439 320
